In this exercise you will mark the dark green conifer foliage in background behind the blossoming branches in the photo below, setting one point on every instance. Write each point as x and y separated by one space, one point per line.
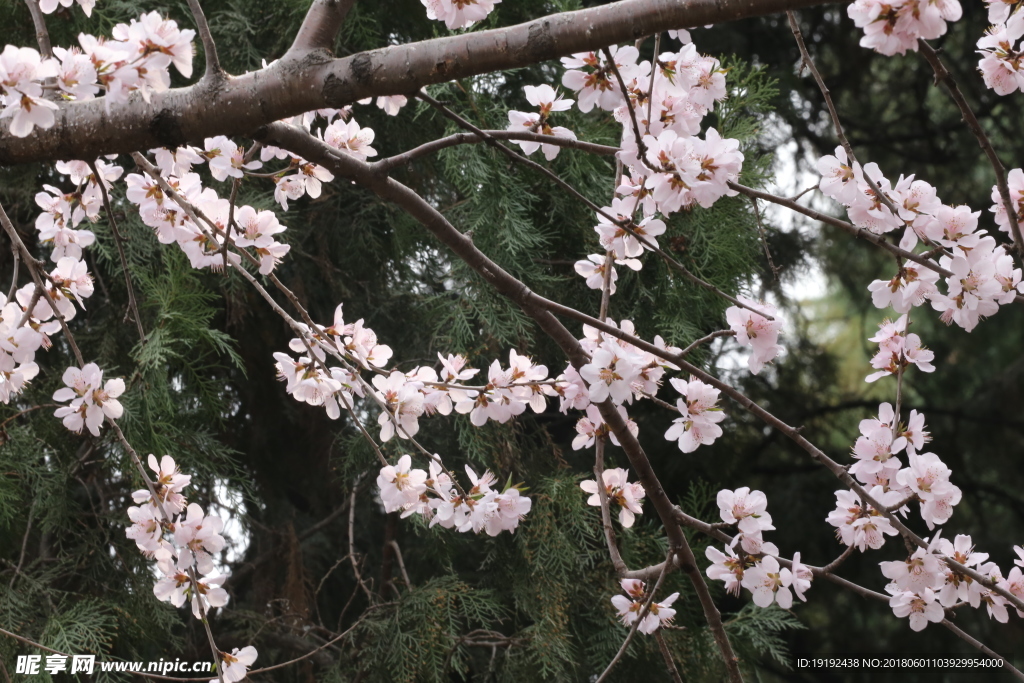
202 389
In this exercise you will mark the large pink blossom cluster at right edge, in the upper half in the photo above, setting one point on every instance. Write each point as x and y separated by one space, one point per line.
984 277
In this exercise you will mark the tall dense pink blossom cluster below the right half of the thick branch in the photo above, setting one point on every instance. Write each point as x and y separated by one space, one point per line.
669 169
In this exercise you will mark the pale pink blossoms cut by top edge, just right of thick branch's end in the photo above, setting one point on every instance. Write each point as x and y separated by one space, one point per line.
893 27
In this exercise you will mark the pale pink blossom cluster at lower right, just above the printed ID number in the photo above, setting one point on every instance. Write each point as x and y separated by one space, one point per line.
925 584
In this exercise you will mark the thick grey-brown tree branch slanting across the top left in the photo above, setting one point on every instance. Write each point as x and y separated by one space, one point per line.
310 81
